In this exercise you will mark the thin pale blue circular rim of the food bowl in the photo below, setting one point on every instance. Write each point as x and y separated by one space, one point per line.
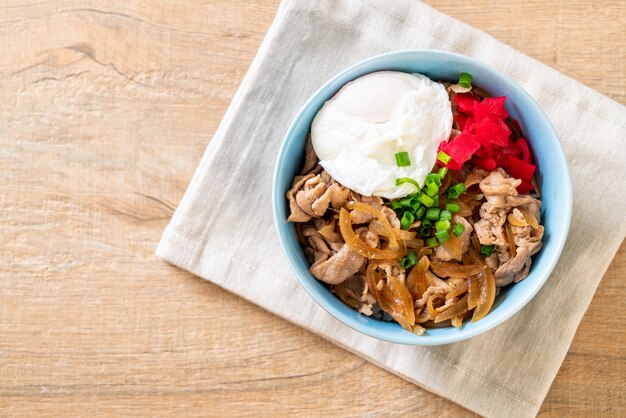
408 338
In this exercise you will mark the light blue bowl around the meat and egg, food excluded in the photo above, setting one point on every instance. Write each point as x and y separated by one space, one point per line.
552 175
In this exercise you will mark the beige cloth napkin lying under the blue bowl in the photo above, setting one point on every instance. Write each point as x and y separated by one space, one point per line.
223 229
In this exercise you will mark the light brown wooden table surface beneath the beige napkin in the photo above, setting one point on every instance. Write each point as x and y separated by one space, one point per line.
106 108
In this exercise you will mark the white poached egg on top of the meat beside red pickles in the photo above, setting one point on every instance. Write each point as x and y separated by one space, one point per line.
357 133
